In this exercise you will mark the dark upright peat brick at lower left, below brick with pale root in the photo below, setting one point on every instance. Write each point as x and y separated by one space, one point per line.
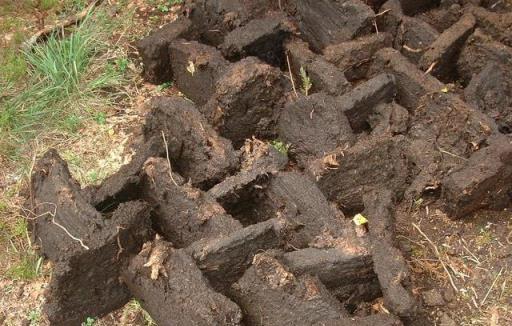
73 294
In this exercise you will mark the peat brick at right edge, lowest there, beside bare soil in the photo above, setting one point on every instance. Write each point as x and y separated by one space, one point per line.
485 181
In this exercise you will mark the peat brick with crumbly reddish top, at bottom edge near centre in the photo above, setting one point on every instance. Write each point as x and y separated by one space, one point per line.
271 295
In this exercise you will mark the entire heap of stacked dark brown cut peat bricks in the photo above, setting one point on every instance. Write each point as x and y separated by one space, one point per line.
212 220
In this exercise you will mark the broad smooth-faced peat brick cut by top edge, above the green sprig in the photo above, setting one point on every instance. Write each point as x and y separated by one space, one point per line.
324 22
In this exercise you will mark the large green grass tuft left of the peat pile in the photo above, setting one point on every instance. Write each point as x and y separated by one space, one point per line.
60 86
